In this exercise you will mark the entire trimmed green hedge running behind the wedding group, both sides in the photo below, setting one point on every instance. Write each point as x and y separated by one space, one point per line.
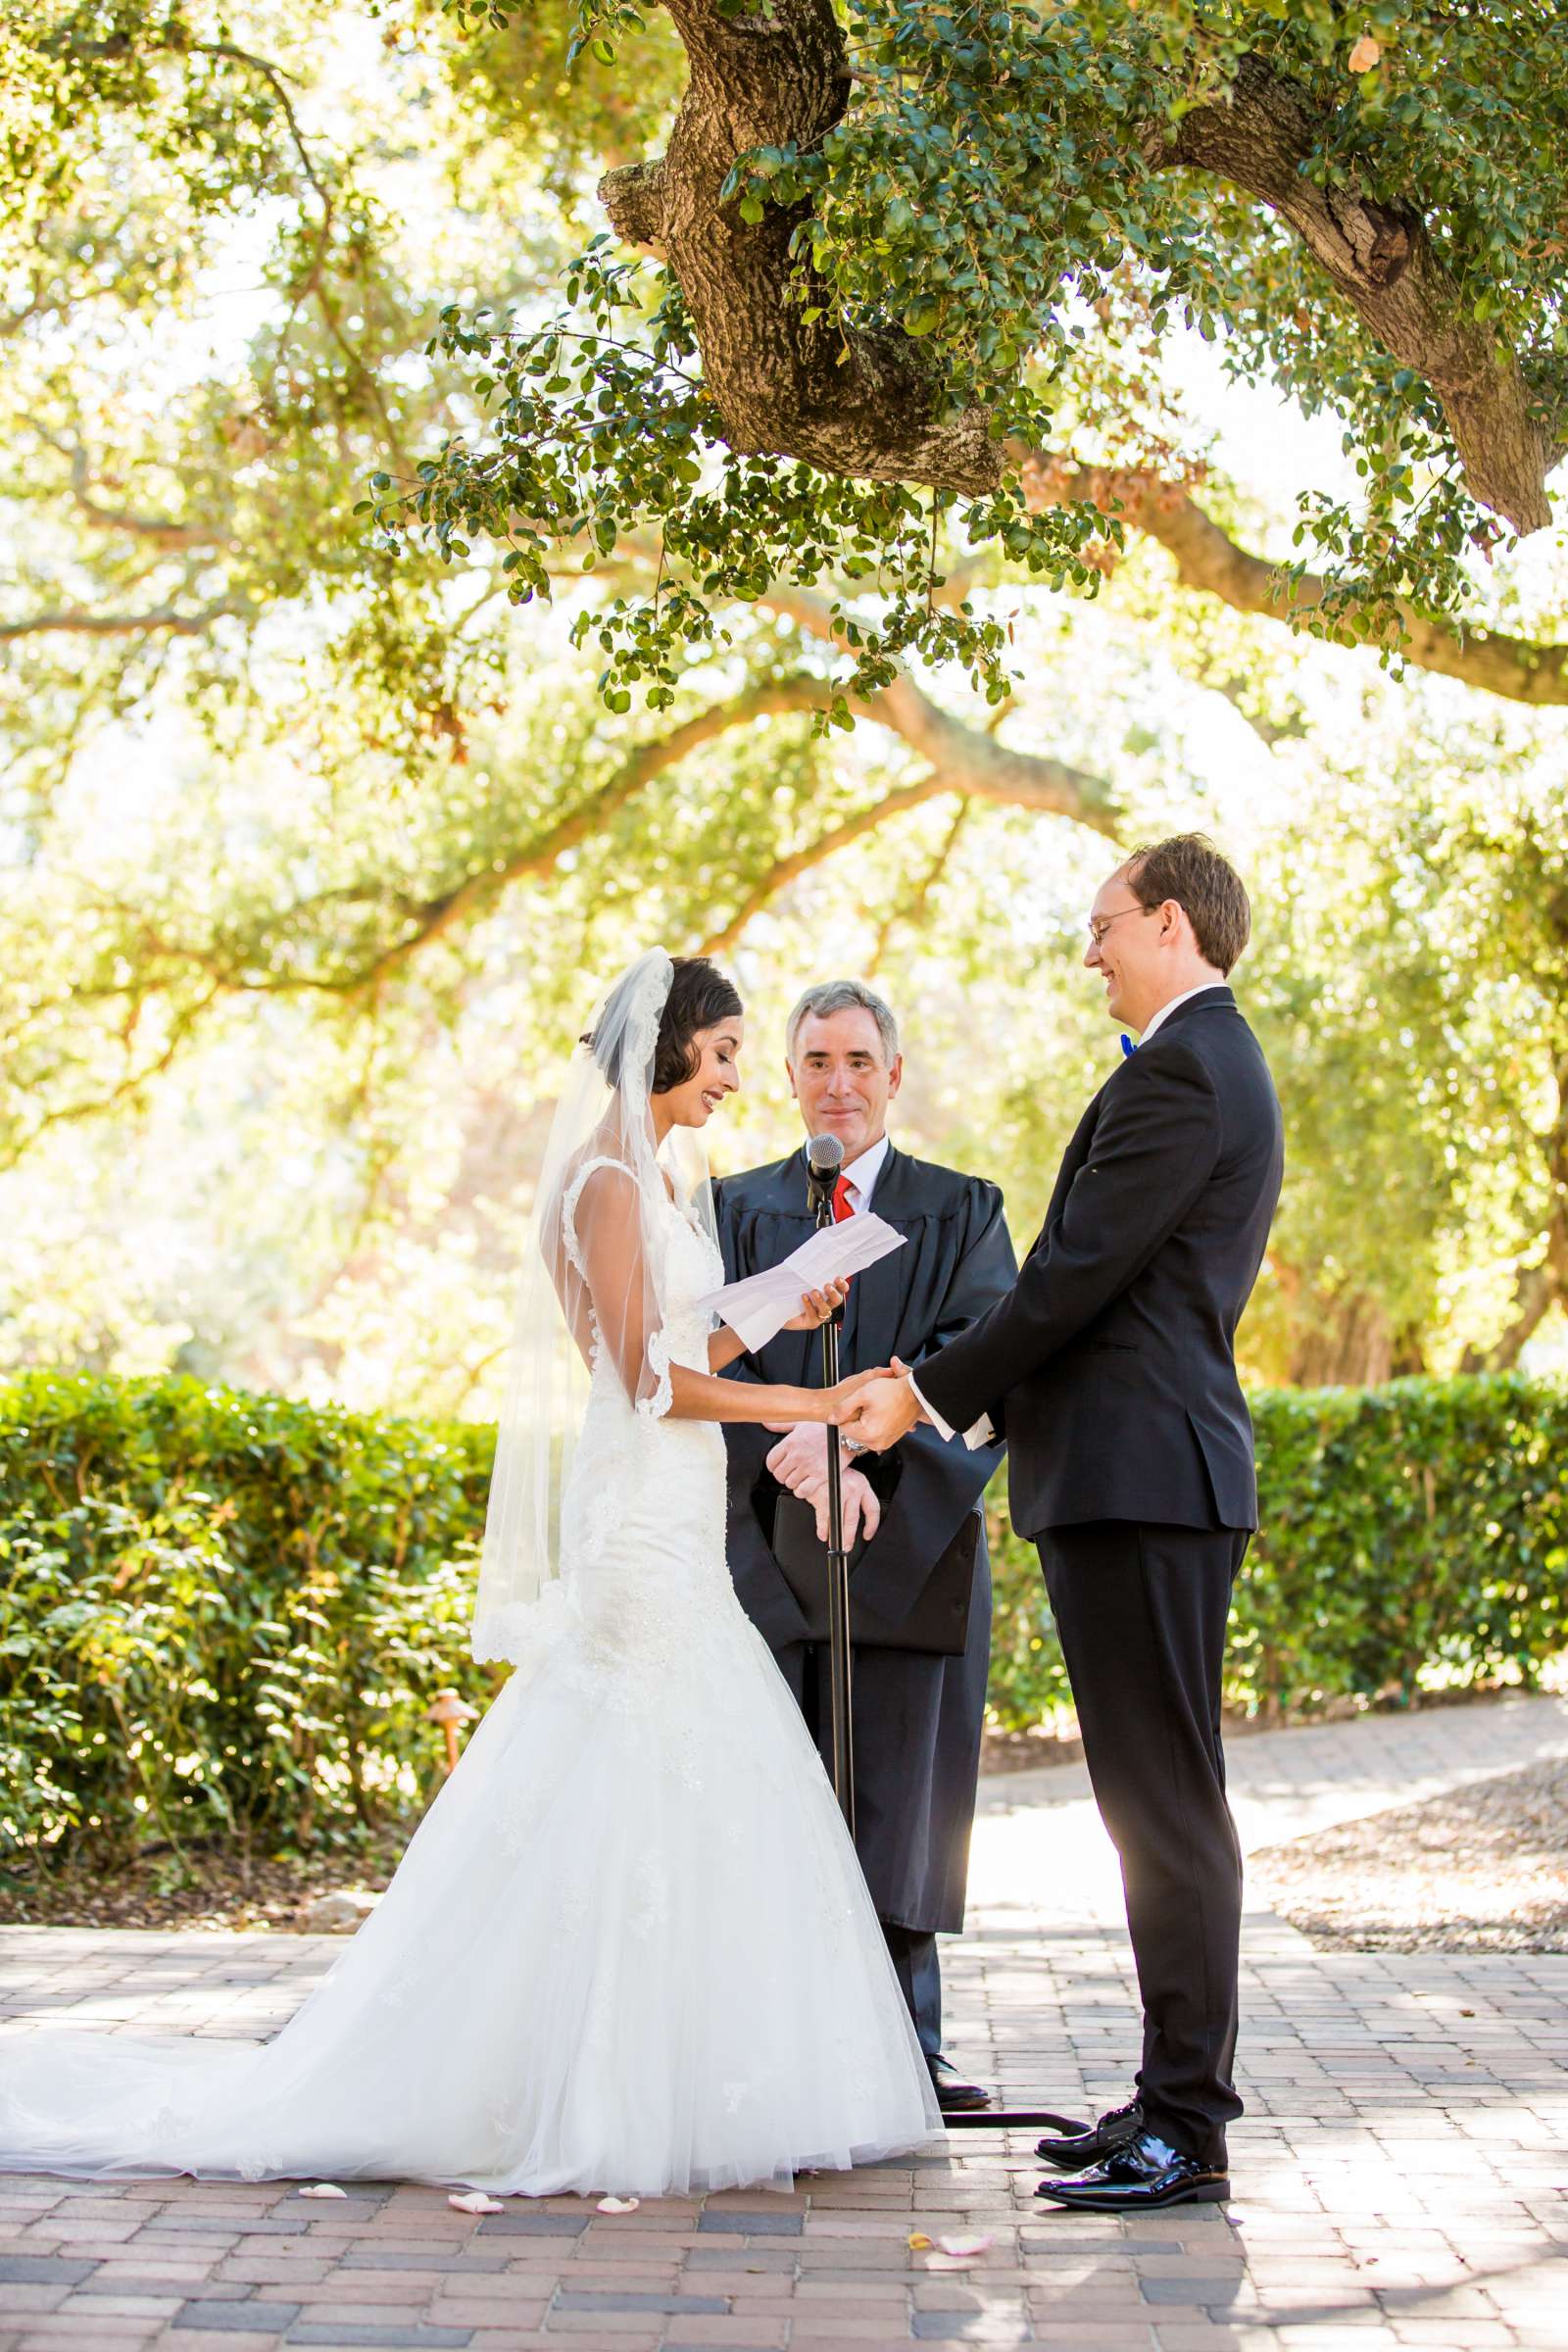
227 1615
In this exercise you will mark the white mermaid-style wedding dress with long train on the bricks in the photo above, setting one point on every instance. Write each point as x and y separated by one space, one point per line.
629 1951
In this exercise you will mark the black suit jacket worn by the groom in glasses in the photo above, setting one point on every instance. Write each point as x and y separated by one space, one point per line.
1111 1363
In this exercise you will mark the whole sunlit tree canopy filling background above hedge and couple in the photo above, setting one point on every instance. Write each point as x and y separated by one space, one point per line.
977 443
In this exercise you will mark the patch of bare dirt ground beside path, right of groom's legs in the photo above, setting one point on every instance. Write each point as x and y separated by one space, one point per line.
1477 1871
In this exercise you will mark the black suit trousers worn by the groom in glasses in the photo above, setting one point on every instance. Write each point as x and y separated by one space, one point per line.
1141 1617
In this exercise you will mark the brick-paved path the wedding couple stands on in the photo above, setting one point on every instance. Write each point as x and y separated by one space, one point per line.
1400 2174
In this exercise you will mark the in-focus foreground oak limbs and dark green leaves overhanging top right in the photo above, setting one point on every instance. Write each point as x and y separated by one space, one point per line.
918 267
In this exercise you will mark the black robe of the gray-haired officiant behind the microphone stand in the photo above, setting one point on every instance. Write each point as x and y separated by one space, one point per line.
918 1720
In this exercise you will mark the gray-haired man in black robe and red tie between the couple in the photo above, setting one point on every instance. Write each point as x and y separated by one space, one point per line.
920 1575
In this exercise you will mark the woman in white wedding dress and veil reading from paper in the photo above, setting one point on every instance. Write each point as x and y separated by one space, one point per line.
629 1949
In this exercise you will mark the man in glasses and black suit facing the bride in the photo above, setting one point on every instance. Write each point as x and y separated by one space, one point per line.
1111 1370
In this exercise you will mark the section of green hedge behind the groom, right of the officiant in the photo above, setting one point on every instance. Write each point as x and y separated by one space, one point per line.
1414 1537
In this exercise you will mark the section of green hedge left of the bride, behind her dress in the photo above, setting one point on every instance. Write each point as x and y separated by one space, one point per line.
225 1615
